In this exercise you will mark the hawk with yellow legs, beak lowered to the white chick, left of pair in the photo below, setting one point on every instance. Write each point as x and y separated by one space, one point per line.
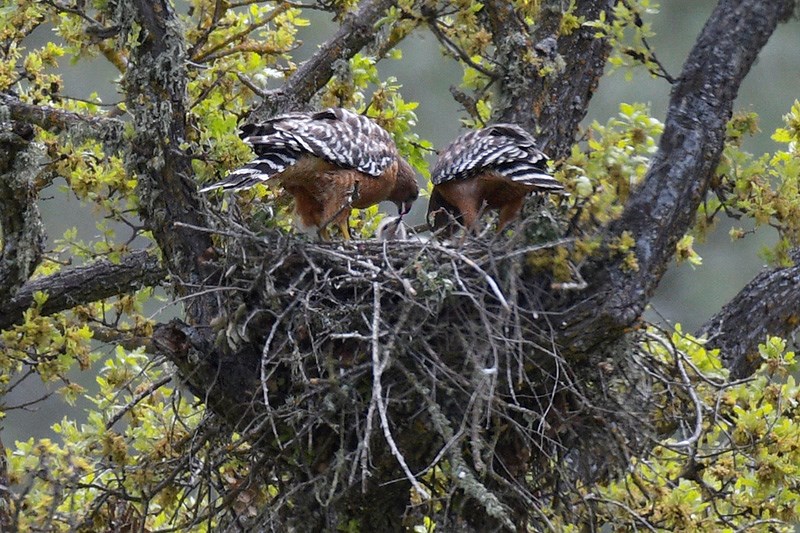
330 162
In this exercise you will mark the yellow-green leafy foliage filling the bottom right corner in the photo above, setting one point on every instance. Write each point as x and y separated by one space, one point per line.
738 469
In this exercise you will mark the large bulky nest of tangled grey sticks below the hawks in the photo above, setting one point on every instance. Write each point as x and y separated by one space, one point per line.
429 363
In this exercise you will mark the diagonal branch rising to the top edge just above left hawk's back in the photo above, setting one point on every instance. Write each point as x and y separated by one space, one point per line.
356 32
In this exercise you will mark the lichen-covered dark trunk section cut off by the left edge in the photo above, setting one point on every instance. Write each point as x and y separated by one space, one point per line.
21 231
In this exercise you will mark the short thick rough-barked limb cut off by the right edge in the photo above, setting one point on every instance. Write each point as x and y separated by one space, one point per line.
766 306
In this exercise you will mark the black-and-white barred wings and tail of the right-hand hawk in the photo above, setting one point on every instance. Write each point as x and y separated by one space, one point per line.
503 148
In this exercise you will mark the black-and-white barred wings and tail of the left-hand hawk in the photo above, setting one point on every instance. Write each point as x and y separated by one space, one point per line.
340 137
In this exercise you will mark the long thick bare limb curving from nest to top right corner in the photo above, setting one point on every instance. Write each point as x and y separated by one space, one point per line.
662 210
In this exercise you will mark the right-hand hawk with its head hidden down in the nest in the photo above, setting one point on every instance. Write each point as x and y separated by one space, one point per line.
494 167
